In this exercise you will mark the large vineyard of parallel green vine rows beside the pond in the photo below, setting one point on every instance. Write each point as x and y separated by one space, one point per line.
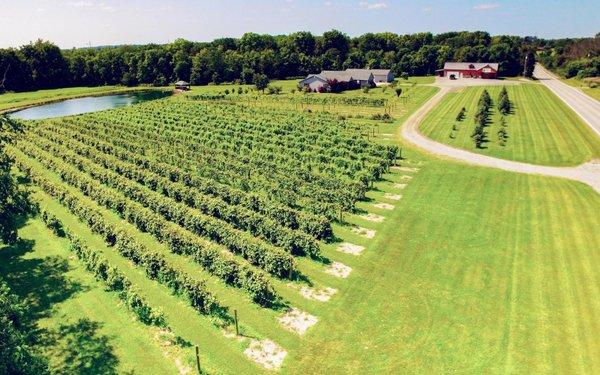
198 196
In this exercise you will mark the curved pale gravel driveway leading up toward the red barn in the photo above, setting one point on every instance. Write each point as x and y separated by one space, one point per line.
588 173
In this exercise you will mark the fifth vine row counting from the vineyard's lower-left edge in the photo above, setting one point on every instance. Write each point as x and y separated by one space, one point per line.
296 242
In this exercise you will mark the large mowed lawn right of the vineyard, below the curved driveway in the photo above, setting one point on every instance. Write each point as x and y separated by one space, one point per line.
475 271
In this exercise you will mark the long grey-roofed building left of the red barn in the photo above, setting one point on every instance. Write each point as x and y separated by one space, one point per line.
350 77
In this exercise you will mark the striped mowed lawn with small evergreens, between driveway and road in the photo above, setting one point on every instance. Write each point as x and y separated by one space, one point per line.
541 130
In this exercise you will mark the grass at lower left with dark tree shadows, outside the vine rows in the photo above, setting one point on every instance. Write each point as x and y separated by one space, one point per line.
58 290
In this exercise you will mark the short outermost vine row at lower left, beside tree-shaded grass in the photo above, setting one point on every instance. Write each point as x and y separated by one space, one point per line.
111 276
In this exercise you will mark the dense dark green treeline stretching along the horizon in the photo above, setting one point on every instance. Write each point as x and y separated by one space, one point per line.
43 65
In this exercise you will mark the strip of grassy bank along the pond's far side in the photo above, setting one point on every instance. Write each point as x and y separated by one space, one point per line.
23 99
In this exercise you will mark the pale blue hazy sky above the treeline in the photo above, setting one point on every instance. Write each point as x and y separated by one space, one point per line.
79 23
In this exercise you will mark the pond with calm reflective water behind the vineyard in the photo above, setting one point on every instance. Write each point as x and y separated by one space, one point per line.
84 105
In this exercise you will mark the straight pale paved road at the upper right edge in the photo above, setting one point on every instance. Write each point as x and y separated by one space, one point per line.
586 107
